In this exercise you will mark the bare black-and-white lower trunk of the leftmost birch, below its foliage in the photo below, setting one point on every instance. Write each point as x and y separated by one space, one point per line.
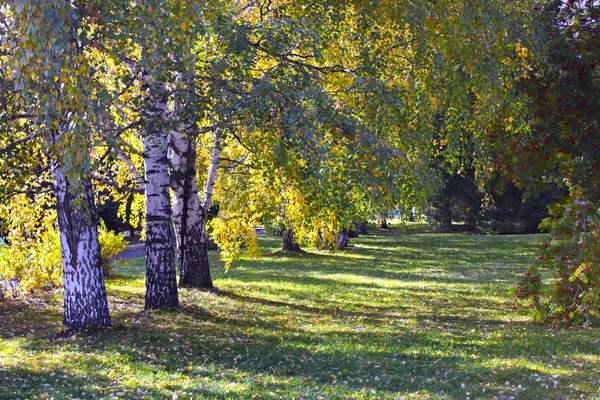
85 301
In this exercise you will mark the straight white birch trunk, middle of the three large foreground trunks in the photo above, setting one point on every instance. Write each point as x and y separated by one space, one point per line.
161 280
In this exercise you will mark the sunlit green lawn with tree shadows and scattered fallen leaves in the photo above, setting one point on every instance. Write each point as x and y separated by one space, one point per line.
399 315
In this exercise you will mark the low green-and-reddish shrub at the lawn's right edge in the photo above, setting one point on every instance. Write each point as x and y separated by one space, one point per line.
572 255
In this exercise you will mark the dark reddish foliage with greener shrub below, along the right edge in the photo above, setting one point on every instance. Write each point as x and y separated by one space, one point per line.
563 148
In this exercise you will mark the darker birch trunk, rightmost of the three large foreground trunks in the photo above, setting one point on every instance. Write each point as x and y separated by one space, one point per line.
189 217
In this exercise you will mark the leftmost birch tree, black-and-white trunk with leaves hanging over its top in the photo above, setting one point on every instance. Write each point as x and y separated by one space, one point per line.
48 52
